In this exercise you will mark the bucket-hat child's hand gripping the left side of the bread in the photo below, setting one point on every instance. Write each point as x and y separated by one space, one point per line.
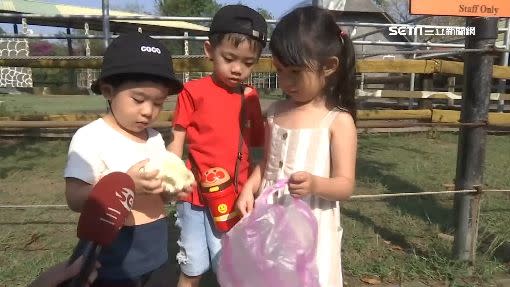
145 182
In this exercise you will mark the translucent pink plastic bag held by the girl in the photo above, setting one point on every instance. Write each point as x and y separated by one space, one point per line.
274 245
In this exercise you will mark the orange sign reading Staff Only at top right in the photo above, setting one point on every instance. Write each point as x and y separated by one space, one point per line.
466 8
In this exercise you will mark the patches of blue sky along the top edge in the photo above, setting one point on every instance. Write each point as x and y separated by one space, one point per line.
276 7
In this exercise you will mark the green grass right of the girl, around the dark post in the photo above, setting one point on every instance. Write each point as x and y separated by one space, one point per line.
397 239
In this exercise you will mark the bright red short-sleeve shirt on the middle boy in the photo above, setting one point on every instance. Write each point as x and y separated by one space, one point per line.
211 115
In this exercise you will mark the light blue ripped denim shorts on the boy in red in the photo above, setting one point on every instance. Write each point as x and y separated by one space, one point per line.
199 241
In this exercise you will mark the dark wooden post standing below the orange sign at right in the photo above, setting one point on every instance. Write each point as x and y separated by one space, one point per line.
471 146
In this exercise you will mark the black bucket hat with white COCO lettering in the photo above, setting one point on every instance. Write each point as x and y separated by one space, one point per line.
137 53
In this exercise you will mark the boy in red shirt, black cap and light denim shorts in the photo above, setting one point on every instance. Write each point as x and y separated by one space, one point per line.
220 119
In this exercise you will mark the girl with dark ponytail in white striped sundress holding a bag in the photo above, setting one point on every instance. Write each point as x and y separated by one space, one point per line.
311 136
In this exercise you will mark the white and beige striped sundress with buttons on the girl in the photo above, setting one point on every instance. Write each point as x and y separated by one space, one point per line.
308 149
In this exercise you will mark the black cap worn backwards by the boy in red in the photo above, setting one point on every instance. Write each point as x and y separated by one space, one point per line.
240 19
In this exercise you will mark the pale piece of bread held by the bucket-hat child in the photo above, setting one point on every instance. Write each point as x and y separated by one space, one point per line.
172 170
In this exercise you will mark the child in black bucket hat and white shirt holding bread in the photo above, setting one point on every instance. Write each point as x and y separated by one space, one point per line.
136 78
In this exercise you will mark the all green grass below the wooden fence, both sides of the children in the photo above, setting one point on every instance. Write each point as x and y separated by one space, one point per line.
394 240
